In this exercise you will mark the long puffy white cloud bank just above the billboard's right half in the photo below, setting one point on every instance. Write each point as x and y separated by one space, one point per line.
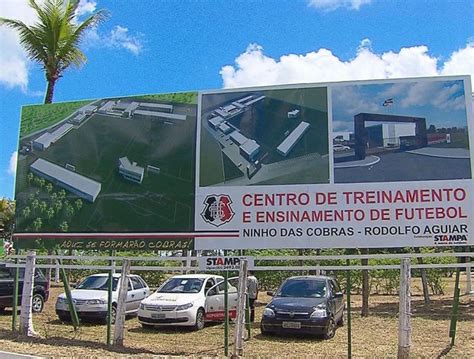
254 68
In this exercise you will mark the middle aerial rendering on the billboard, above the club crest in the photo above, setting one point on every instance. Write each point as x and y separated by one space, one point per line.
265 137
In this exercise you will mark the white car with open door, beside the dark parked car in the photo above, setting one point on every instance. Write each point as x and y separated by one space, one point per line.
187 300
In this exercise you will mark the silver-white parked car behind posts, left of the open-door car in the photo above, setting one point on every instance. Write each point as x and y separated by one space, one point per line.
90 297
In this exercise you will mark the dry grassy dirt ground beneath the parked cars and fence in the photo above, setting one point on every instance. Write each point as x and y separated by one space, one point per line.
372 337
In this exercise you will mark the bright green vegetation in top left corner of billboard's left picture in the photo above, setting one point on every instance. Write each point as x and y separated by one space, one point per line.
39 117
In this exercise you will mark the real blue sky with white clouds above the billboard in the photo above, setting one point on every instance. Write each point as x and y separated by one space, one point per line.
181 45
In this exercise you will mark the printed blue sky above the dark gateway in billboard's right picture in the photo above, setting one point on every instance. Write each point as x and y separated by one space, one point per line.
441 103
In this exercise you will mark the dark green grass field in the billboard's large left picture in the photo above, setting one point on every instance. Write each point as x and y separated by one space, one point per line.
163 202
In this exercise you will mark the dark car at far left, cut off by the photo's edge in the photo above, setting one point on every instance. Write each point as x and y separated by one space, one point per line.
7 284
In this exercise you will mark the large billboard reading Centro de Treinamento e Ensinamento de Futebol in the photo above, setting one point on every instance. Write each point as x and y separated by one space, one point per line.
341 165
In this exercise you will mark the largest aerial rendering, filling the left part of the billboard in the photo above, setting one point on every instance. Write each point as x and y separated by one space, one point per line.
112 165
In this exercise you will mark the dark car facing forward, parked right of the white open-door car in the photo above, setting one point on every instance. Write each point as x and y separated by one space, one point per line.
307 304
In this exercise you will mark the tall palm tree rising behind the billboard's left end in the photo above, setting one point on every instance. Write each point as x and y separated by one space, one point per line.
53 41
